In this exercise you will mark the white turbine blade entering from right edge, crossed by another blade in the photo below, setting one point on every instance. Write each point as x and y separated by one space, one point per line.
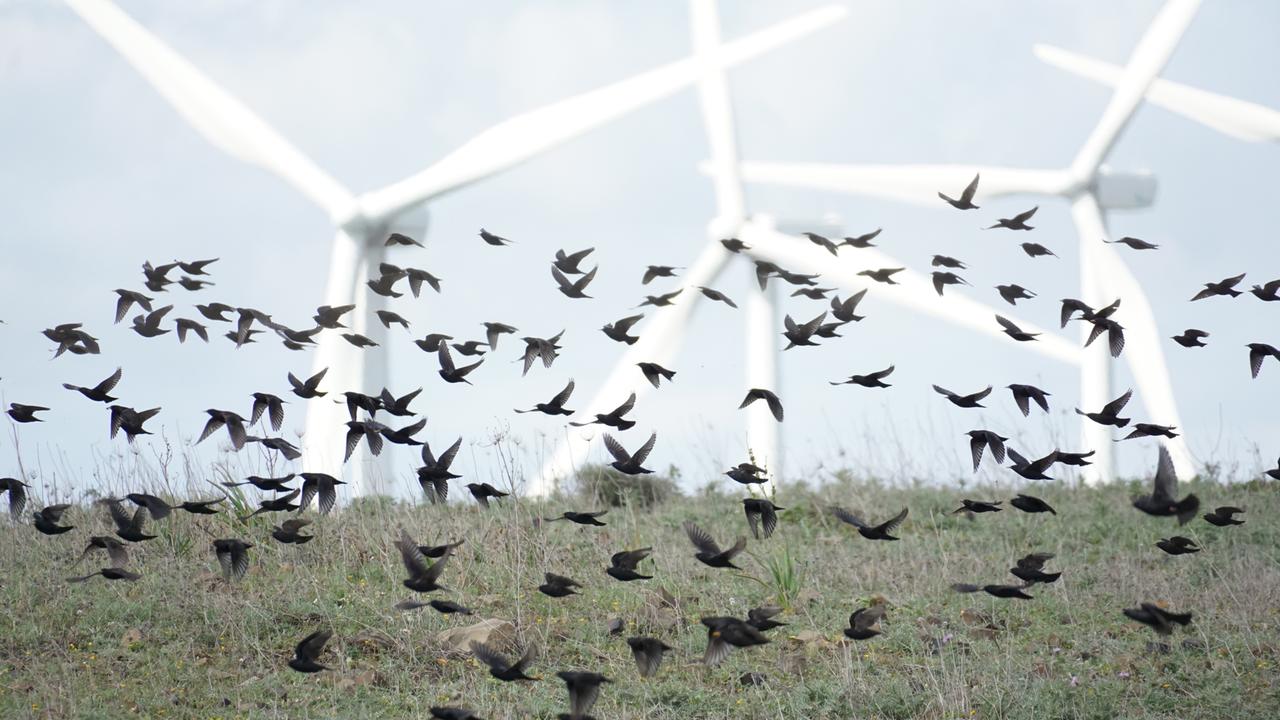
1237 119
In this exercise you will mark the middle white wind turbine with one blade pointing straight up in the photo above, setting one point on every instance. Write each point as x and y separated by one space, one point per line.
661 338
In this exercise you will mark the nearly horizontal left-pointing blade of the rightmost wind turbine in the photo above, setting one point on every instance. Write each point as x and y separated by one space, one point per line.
907 184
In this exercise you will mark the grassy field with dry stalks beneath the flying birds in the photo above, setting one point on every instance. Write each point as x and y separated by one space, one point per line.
182 644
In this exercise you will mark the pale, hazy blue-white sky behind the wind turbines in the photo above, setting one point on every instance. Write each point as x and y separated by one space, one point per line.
100 175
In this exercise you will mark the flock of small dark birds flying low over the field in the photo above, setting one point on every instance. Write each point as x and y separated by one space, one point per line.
426 566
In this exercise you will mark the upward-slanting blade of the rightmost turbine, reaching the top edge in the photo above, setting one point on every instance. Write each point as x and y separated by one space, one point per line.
1148 61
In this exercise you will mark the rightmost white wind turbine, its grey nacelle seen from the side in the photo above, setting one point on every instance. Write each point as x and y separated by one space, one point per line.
1092 189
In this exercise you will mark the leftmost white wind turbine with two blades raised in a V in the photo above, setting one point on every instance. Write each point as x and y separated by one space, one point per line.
364 221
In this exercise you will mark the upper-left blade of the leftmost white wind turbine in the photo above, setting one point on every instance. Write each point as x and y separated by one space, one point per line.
216 115
